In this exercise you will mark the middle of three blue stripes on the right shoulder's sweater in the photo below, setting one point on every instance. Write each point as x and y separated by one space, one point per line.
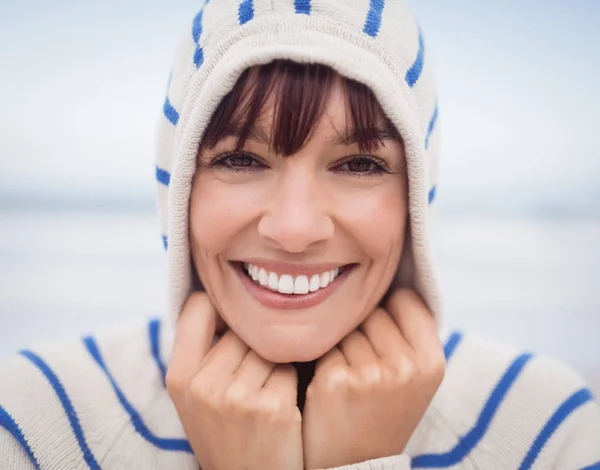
468 442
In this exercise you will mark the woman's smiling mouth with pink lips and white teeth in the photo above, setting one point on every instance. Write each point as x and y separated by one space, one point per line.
288 287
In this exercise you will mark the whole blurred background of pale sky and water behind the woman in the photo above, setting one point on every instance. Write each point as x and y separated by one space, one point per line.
517 232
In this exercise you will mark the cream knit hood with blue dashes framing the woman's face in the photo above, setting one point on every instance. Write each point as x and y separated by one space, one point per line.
375 42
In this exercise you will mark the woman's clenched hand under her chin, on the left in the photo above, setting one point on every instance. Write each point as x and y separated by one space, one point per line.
237 410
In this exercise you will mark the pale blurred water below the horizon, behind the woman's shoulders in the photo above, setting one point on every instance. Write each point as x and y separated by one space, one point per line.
534 283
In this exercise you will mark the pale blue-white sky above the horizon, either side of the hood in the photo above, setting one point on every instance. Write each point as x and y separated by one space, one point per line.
82 85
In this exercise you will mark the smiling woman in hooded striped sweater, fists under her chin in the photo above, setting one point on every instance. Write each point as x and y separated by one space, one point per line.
297 162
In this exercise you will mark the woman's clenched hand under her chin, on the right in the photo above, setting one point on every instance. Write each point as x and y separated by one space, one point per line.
369 393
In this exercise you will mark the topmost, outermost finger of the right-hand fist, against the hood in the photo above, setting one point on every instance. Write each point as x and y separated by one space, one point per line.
414 320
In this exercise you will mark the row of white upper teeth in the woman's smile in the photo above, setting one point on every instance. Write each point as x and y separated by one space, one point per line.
287 284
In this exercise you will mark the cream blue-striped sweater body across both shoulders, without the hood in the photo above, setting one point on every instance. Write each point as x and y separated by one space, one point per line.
101 402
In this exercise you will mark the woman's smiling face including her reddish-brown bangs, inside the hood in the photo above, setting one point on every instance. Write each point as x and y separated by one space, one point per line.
301 176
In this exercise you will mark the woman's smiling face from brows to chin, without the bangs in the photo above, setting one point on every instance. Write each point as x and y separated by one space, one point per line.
296 251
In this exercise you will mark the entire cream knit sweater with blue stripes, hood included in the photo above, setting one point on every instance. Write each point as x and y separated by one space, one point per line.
101 401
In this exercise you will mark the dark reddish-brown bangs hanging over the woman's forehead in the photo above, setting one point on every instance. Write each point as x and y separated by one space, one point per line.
299 93
